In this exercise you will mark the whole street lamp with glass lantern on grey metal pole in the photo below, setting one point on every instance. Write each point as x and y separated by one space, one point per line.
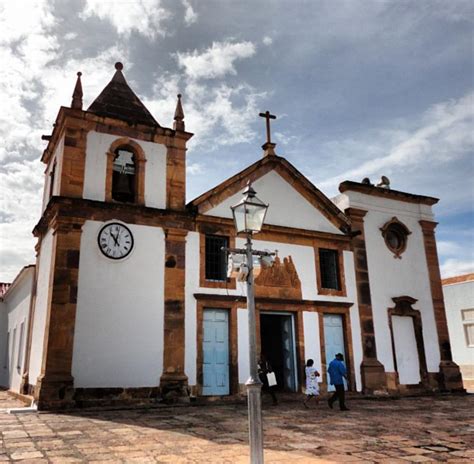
249 215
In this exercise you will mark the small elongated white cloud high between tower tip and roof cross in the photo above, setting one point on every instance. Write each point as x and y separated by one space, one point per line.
216 61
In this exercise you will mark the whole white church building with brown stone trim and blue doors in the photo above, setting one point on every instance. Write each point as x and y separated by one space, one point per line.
130 300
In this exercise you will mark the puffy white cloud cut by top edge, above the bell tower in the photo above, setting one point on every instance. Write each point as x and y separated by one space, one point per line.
145 17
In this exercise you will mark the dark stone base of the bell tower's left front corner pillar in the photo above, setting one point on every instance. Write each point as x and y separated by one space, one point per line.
54 392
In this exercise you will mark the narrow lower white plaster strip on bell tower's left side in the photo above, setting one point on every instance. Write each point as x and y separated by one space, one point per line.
41 306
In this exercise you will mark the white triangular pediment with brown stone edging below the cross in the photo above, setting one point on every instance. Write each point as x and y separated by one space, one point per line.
294 201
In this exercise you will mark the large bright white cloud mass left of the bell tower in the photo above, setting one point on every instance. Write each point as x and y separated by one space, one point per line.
33 87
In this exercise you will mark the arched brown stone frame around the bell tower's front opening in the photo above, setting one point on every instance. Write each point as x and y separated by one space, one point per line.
140 161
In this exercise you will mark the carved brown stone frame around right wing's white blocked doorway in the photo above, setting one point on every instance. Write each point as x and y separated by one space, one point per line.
403 307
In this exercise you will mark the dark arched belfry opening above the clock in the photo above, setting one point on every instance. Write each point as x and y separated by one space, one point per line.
124 184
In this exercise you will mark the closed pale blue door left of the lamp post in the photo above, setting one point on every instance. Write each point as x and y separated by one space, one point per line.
215 352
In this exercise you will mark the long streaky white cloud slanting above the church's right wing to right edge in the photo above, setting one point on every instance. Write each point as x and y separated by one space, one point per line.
444 133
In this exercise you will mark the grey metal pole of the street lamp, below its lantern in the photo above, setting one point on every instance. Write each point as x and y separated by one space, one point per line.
254 386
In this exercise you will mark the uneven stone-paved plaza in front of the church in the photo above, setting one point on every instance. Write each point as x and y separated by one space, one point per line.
428 429
